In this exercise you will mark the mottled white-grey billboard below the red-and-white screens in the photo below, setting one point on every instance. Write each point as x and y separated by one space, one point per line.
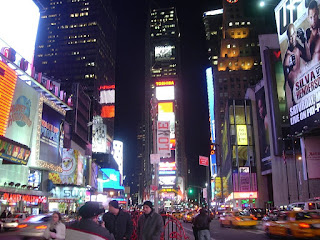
99 135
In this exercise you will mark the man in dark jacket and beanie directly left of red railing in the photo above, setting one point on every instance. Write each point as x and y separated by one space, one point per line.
150 223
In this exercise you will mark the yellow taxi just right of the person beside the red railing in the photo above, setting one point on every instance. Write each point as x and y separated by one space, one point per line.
237 219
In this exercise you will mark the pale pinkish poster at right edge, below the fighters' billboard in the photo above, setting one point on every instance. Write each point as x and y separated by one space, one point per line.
313 157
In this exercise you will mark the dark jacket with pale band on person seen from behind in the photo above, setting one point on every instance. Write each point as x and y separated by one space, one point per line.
89 230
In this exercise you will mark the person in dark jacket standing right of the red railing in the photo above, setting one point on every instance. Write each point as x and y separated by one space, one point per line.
202 225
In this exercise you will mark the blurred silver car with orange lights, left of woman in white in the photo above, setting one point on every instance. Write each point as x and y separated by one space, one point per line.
34 226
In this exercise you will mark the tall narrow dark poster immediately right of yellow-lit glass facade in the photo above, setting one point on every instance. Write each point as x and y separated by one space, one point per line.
263 130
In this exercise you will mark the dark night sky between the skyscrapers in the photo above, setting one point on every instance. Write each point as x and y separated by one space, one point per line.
132 20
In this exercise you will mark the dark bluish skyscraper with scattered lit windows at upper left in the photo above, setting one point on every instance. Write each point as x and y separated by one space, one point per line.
76 43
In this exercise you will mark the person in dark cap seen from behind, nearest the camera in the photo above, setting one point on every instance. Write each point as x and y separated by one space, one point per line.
88 227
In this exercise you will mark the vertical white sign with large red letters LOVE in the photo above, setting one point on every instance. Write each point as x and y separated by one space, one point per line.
163 138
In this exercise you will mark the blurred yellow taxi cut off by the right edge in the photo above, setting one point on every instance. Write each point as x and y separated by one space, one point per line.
298 224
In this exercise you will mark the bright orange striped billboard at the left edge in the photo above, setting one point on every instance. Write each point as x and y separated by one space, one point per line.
8 80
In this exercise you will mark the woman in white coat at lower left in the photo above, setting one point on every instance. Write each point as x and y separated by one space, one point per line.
55 229
